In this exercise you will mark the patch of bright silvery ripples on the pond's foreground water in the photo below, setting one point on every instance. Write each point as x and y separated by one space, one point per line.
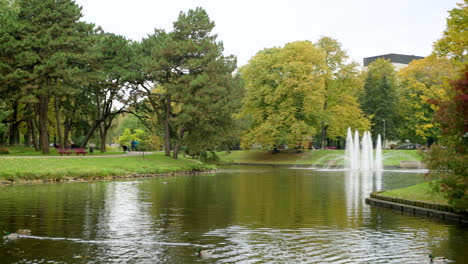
250 245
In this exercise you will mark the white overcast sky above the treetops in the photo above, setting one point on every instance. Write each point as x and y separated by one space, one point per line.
365 27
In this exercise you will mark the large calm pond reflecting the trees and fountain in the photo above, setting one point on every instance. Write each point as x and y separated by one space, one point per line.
242 214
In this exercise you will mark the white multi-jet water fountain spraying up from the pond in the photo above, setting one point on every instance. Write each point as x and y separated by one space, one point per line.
360 155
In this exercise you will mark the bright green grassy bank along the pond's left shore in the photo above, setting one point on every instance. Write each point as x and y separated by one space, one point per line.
23 169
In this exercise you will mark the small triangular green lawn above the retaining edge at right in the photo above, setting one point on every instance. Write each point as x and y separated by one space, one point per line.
420 192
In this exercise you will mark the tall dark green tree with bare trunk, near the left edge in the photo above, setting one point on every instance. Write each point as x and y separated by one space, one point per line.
53 41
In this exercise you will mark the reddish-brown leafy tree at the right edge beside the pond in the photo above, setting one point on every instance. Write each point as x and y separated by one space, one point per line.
447 160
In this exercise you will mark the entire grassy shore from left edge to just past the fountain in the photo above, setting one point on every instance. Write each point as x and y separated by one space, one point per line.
57 169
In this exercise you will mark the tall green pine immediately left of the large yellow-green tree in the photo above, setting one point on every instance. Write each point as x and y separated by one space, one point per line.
188 82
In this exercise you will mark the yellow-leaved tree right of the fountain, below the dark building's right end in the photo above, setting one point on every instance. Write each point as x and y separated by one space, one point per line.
422 82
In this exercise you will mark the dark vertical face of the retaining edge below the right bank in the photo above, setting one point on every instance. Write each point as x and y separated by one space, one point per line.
415 210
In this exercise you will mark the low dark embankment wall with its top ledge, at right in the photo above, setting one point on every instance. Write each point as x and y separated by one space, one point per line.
442 211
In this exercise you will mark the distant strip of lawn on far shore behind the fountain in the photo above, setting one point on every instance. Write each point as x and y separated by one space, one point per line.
319 157
